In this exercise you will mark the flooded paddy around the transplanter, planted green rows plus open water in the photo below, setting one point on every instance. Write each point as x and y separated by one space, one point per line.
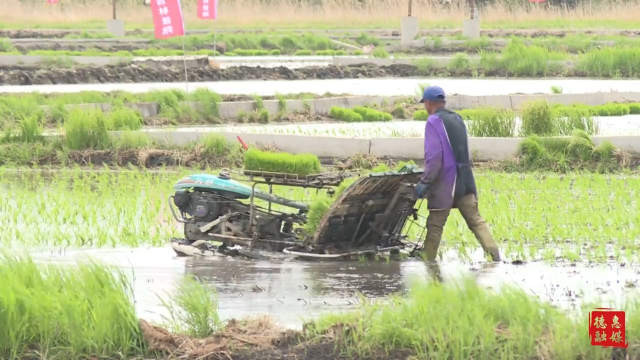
564 238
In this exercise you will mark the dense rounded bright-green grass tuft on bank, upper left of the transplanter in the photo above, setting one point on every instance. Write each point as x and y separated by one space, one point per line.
86 129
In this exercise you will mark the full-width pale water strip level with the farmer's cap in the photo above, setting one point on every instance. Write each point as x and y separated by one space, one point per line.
374 87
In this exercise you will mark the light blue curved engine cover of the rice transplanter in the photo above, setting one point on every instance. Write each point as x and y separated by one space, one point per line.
215 183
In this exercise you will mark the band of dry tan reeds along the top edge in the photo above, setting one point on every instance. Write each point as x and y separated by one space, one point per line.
327 14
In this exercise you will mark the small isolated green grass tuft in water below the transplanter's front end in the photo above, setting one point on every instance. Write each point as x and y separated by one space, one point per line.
193 310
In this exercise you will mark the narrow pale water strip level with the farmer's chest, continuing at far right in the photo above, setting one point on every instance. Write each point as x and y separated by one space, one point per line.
609 125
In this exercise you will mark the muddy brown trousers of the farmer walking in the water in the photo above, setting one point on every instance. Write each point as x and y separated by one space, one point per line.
468 207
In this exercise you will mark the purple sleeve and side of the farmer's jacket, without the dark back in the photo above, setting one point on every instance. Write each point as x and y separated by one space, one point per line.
440 169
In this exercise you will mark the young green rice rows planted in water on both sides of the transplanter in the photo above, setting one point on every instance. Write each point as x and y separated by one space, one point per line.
581 202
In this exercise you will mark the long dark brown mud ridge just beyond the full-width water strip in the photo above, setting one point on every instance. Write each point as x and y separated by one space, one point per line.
127 73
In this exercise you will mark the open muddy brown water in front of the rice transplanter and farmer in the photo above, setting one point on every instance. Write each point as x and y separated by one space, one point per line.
292 291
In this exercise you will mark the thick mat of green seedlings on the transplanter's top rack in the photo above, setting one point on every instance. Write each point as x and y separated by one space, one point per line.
299 164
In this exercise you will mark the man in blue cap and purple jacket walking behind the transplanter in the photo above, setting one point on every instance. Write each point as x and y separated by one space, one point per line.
447 182
